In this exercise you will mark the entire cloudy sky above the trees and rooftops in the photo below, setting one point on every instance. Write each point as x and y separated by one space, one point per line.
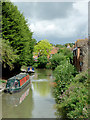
59 22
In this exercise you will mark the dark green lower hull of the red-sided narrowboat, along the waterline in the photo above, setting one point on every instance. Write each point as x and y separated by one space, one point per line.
8 90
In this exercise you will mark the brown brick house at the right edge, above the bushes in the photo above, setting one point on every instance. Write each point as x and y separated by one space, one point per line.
80 54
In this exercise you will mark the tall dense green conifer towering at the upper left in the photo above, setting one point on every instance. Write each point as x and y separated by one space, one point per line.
15 30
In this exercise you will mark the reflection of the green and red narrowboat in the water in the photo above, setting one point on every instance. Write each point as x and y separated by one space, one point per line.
18 98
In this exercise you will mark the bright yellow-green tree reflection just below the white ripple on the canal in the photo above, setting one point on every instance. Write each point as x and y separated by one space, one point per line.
42 88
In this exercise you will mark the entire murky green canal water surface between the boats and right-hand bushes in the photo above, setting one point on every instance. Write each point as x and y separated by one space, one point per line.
36 101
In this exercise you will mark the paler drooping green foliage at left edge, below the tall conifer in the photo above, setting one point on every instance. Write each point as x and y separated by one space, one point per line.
8 54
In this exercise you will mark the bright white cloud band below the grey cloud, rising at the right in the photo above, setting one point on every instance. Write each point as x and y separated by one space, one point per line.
75 24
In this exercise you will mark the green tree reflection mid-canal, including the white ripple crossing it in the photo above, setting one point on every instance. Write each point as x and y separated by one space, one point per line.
41 82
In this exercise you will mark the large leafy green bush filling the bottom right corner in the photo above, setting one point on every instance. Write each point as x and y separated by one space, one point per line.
73 101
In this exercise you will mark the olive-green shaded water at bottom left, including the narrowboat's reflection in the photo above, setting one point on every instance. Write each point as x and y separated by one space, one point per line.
18 105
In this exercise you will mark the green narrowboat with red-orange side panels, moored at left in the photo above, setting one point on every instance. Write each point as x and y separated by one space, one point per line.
18 82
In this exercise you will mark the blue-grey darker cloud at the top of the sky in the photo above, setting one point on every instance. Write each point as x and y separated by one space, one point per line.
45 10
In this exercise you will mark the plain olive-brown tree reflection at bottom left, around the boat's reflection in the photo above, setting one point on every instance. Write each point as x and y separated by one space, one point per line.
23 110
